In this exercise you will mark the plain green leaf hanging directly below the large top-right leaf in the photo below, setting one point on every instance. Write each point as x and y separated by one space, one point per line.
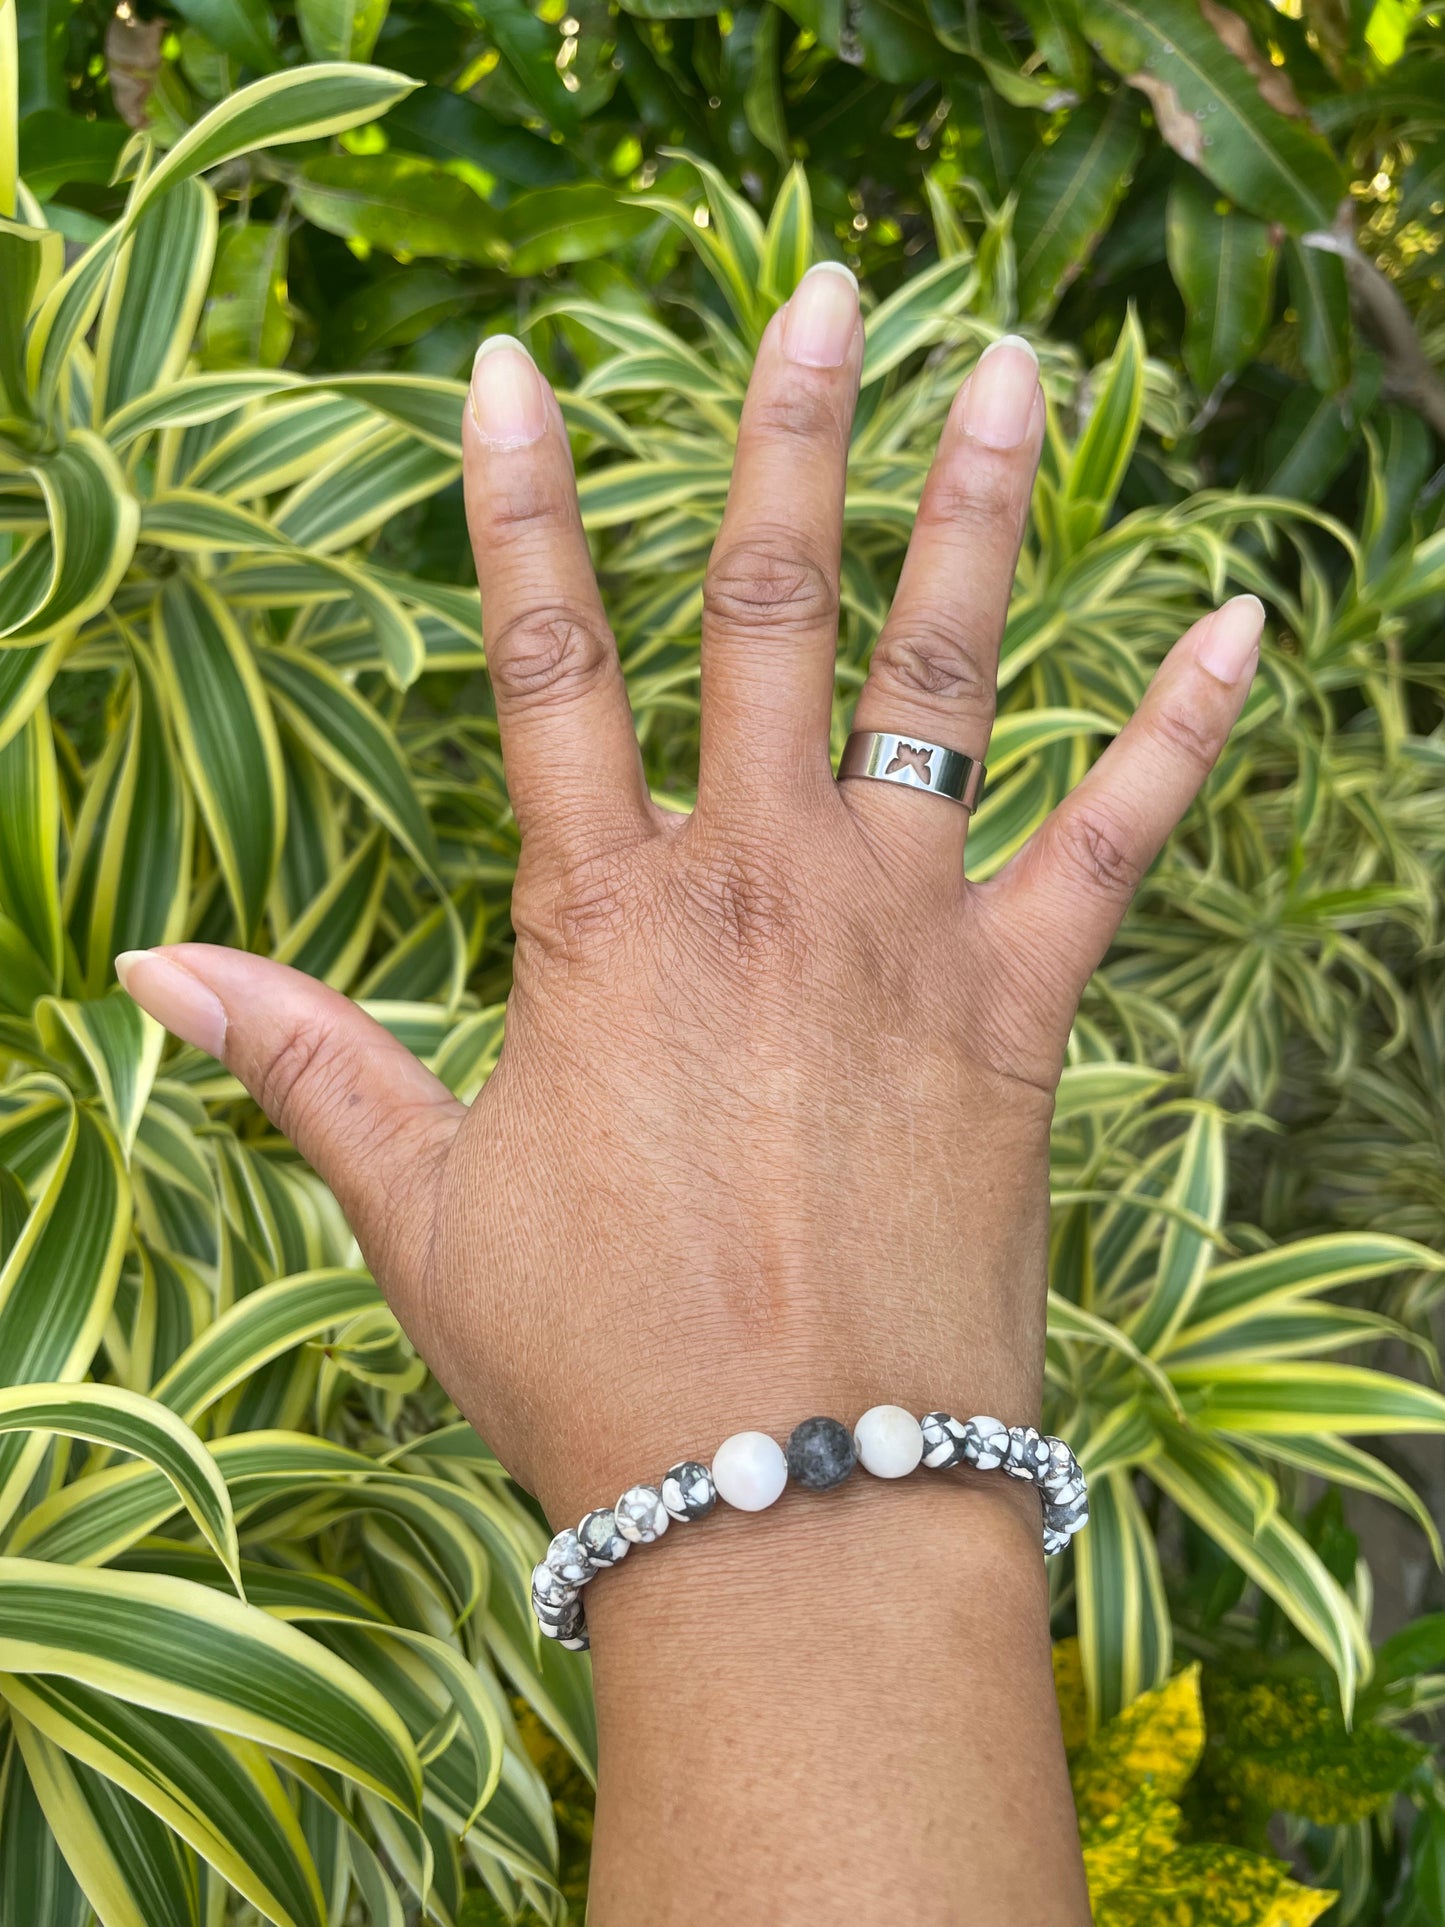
1222 265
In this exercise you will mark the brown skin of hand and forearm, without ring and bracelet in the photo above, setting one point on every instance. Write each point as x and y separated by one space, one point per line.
770 1138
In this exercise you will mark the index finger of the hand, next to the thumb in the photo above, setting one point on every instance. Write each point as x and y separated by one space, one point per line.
567 737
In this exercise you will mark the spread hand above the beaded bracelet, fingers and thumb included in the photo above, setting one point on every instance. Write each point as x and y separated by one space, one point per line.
770 1128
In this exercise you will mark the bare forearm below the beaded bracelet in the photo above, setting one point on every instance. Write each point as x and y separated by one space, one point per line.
835 1710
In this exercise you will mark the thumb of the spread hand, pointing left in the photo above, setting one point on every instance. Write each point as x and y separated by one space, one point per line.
355 1103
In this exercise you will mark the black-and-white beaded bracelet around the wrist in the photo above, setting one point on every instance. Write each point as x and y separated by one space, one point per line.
750 1471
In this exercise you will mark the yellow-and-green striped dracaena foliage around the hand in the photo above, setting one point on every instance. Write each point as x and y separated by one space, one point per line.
228 712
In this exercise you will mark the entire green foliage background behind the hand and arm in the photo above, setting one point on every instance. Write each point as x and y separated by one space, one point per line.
246 259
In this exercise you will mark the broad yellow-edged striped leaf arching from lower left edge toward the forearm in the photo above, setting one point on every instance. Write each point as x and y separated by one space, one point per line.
201 1656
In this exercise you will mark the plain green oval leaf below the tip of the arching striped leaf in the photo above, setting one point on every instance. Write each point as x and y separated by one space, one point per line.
400 203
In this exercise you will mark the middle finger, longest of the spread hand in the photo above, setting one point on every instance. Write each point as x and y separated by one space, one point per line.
772 593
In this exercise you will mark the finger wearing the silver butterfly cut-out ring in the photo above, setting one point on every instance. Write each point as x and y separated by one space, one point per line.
935 666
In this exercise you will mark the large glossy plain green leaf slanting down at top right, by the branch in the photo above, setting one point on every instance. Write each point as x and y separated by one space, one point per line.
1211 109
